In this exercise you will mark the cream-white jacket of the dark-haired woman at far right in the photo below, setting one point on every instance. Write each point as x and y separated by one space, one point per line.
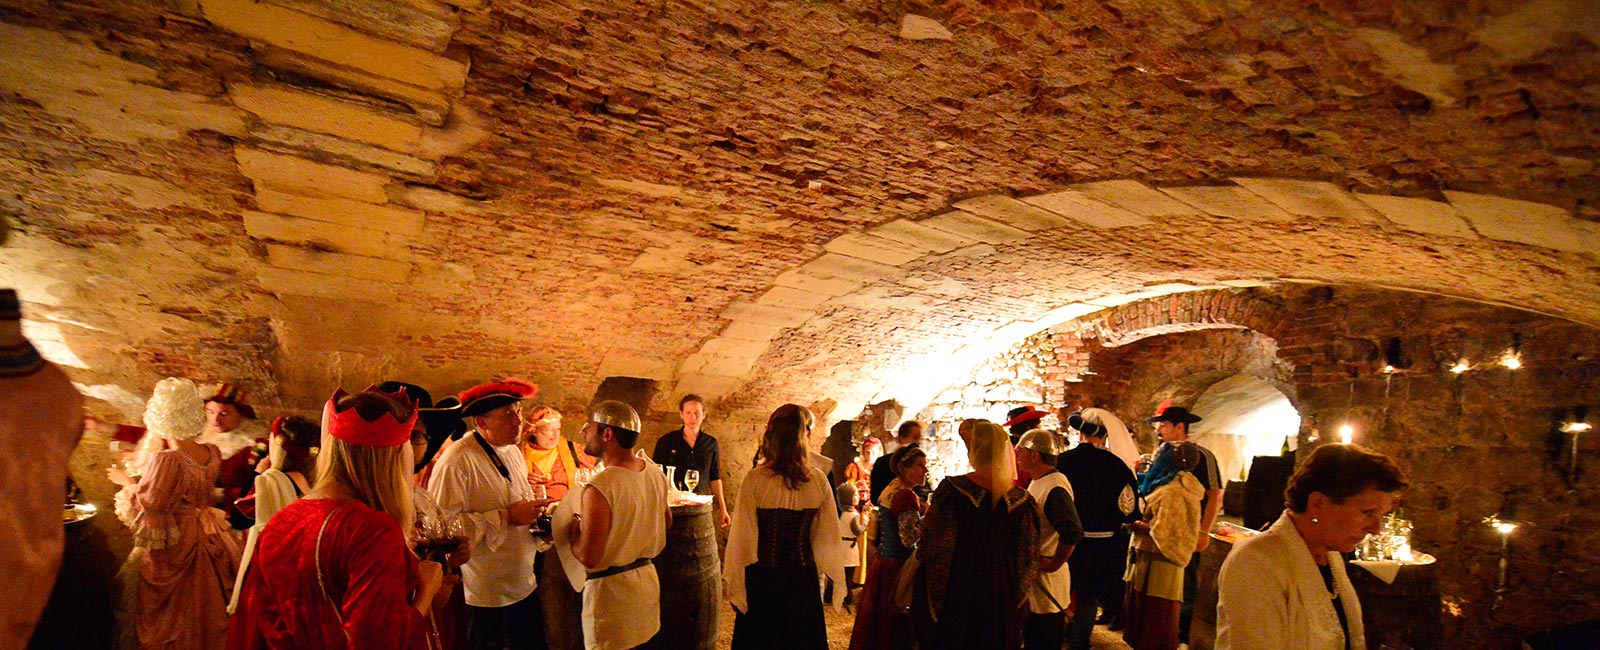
1271 596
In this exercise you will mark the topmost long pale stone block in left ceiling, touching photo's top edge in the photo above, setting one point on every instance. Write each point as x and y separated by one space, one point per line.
337 44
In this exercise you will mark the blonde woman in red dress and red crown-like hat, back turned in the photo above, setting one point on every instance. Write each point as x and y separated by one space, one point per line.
334 569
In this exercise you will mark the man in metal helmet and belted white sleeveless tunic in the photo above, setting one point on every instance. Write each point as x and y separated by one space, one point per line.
622 526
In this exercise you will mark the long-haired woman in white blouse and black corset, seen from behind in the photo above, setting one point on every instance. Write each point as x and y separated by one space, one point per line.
785 532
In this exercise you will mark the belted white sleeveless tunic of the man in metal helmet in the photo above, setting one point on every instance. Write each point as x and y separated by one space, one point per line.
623 611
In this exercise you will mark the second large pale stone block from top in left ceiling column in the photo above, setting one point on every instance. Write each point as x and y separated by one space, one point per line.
324 114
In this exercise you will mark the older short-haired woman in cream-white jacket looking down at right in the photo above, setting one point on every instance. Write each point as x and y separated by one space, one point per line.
1289 588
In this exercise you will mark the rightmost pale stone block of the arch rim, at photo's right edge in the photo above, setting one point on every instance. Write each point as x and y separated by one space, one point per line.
1521 222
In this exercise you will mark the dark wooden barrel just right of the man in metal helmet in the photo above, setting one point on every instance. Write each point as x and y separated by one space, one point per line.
690 582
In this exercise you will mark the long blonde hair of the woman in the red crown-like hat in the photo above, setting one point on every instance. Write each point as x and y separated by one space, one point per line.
378 476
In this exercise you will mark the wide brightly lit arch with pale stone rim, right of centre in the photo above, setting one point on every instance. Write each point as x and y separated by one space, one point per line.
881 313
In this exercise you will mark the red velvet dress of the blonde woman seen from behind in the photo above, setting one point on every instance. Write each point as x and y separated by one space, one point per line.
367 569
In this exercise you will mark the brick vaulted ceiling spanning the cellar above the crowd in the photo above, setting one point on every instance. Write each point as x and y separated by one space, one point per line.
759 201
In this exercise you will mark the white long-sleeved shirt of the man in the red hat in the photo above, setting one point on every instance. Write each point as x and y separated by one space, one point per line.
466 483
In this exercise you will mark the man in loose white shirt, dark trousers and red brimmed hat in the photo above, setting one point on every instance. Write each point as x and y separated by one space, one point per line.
484 481
